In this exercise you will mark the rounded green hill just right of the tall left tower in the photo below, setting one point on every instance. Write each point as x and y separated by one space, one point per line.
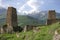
24 20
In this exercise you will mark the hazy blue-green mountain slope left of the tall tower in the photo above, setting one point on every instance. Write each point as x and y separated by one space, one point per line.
3 12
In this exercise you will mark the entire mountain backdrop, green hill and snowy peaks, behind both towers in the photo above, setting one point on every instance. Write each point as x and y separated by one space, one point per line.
34 18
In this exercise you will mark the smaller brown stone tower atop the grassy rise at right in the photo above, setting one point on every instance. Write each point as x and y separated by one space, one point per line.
51 17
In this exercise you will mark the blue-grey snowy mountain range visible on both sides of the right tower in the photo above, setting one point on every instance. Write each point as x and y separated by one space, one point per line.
42 15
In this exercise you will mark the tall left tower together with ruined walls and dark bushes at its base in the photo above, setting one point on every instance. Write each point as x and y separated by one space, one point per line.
11 22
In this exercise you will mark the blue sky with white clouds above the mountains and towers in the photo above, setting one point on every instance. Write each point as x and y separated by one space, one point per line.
29 6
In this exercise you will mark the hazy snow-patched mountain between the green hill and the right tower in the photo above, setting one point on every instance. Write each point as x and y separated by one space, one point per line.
39 15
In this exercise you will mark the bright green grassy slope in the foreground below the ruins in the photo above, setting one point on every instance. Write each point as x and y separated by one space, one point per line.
45 33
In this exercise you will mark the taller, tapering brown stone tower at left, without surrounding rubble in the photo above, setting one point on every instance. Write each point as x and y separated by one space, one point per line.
11 20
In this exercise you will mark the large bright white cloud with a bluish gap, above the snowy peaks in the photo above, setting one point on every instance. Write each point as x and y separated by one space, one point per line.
34 4
